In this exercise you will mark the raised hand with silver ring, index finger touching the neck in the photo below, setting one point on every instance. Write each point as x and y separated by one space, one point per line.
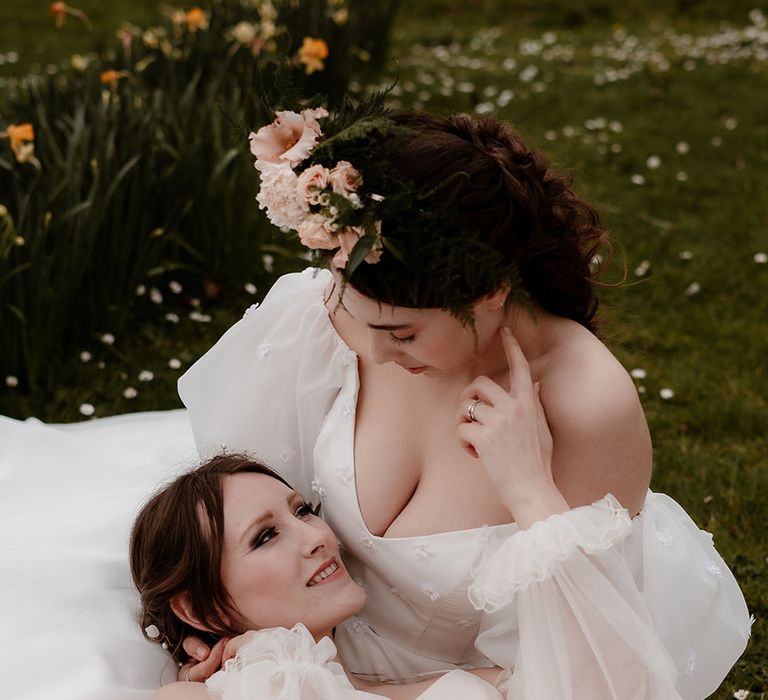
511 438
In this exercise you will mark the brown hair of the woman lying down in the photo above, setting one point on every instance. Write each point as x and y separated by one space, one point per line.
176 548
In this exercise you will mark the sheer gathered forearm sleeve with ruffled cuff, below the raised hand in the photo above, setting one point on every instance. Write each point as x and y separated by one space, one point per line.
583 630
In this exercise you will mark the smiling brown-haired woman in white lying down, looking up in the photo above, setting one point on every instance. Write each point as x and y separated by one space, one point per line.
230 548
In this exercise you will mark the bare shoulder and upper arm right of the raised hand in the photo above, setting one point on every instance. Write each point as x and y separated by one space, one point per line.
601 437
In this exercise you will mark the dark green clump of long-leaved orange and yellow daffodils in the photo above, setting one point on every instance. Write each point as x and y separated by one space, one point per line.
144 168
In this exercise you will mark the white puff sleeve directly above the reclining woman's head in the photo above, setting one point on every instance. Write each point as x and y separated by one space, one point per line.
268 383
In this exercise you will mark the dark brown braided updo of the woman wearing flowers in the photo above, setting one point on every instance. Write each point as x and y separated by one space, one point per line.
494 213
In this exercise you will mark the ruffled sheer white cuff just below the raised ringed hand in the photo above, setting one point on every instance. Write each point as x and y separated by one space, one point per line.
532 555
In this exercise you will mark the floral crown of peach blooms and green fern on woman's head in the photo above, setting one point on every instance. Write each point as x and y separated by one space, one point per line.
327 200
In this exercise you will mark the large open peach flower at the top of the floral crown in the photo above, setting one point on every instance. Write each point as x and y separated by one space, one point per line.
288 139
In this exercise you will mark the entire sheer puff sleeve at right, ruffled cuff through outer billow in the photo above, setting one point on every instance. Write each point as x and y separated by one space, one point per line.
577 606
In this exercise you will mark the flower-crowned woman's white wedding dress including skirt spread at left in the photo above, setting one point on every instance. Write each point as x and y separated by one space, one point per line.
588 604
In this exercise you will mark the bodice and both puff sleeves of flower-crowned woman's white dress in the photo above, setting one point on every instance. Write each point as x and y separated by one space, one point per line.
587 604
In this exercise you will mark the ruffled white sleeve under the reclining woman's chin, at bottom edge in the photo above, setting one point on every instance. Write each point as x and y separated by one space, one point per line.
283 664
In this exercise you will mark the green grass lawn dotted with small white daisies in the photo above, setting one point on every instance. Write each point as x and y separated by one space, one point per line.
662 119
